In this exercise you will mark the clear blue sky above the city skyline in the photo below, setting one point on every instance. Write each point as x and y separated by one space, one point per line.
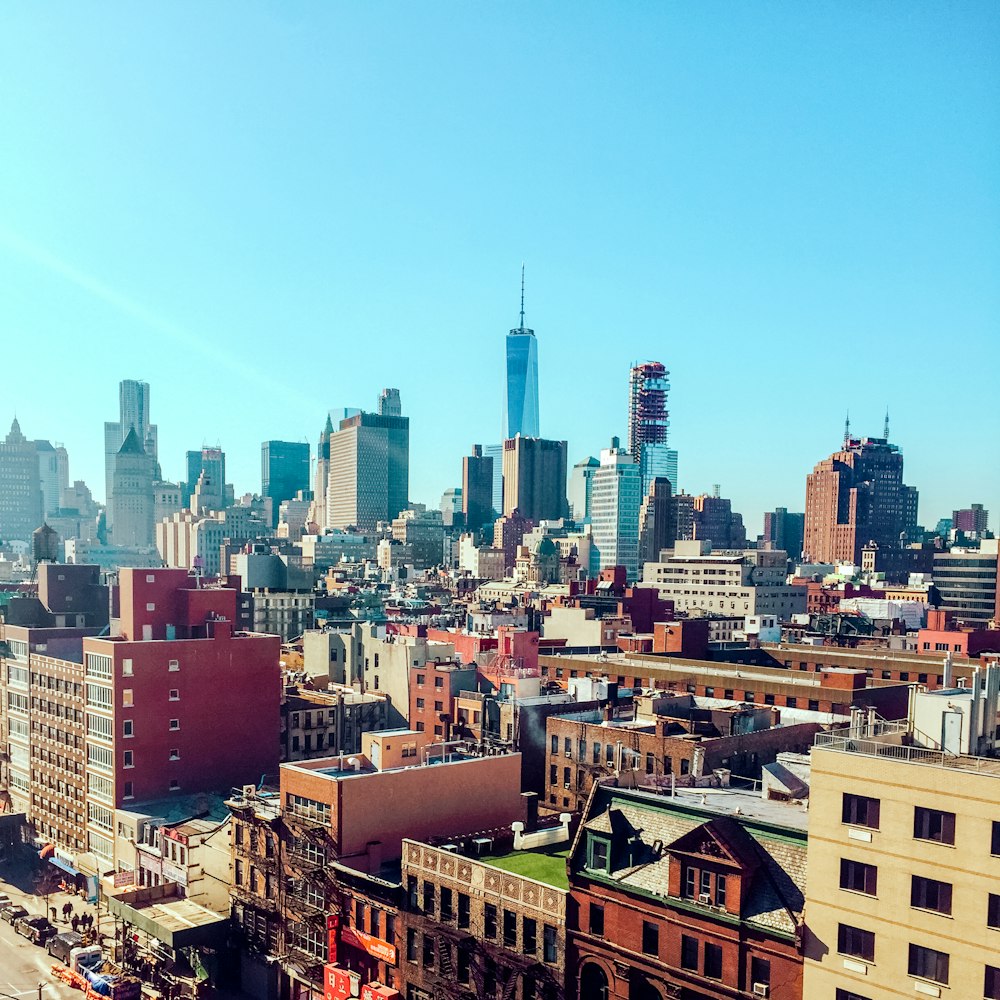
267 210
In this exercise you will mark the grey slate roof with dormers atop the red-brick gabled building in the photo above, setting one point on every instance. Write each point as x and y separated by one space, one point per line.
777 892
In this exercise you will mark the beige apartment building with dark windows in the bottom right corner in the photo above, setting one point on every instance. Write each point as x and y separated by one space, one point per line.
903 895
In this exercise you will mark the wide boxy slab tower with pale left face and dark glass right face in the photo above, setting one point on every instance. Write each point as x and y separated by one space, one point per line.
369 470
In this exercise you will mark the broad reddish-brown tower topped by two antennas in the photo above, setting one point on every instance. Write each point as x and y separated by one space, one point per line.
854 497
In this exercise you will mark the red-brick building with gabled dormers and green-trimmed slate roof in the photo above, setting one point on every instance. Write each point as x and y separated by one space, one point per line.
670 899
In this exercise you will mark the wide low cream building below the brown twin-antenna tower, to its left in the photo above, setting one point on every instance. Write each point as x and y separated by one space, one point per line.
751 582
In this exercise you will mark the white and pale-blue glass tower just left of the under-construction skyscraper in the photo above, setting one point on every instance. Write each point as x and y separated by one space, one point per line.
614 510
